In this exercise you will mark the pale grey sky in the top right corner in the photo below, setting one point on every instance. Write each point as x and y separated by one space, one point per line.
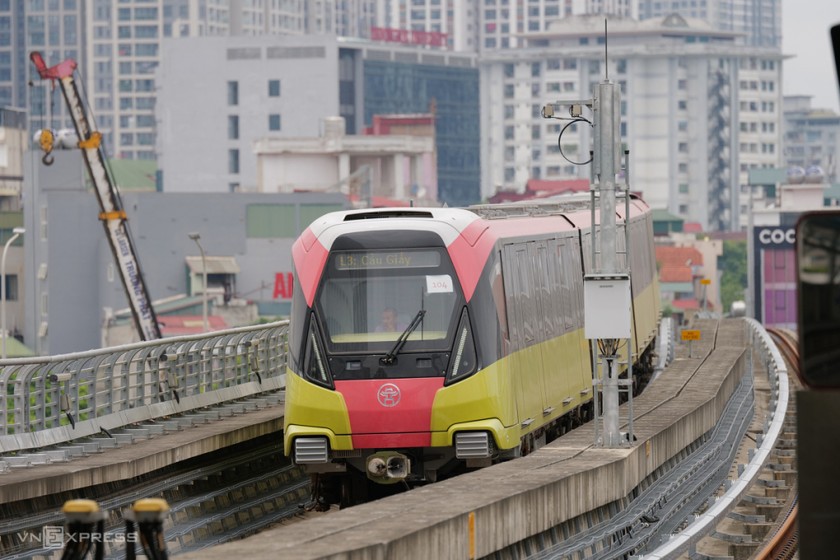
805 33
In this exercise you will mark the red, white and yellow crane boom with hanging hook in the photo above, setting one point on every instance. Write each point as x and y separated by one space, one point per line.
111 213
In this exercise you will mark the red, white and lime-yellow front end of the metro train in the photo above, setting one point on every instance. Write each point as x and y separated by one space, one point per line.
380 328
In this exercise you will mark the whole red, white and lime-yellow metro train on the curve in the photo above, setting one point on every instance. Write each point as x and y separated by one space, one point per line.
427 341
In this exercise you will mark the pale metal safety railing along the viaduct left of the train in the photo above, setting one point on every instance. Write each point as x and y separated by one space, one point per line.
55 399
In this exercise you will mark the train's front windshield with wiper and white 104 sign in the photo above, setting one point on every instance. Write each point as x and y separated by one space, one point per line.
369 299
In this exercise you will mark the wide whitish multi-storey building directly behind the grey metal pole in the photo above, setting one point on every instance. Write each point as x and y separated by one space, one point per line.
684 87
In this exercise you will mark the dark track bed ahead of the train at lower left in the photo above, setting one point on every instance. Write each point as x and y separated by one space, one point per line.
213 499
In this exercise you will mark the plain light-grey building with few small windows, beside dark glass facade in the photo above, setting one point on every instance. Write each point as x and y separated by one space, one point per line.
208 120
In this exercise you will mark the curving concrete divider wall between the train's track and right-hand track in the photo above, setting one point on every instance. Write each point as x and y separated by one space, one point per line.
493 509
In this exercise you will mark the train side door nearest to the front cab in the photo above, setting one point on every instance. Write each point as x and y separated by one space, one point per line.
517 269
